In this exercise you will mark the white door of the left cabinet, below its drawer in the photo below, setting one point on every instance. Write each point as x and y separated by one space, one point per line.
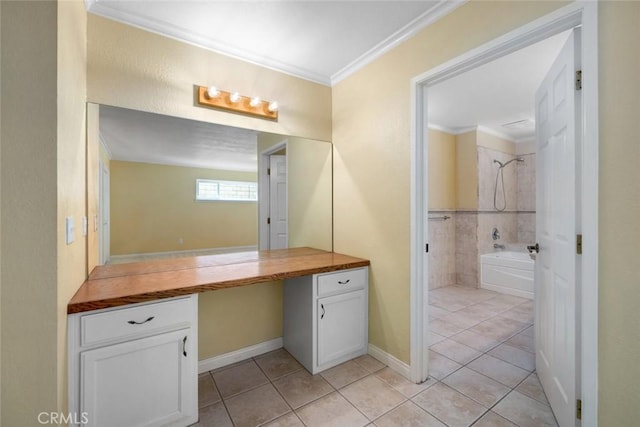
144 382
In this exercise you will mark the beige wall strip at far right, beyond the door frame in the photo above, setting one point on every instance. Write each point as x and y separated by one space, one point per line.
619 275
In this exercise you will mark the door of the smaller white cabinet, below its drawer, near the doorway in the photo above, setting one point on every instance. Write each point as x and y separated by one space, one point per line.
341 327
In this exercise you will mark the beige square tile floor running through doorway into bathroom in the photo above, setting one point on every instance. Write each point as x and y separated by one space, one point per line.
482 374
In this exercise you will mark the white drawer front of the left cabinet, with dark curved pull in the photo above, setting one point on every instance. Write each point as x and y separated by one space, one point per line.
130 321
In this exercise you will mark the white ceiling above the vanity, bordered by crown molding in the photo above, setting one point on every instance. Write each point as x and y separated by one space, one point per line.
322 41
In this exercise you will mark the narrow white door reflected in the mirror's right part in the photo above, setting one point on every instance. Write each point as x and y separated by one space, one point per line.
278 237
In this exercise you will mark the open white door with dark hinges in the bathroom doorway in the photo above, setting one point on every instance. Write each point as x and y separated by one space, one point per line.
557 145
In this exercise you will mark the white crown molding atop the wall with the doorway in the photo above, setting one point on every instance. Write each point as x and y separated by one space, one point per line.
441 9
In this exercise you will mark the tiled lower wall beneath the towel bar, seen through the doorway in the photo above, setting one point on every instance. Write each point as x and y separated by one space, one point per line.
442 249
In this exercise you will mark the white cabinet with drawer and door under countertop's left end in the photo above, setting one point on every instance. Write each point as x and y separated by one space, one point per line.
135 366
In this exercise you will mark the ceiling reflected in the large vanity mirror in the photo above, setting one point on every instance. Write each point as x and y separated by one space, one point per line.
136 136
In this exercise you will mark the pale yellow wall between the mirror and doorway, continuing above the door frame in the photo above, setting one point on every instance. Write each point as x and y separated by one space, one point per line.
372 154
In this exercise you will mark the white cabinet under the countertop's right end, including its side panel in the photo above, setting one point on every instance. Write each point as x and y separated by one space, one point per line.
326 318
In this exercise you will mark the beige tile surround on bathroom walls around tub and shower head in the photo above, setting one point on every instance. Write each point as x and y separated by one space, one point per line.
455 245
